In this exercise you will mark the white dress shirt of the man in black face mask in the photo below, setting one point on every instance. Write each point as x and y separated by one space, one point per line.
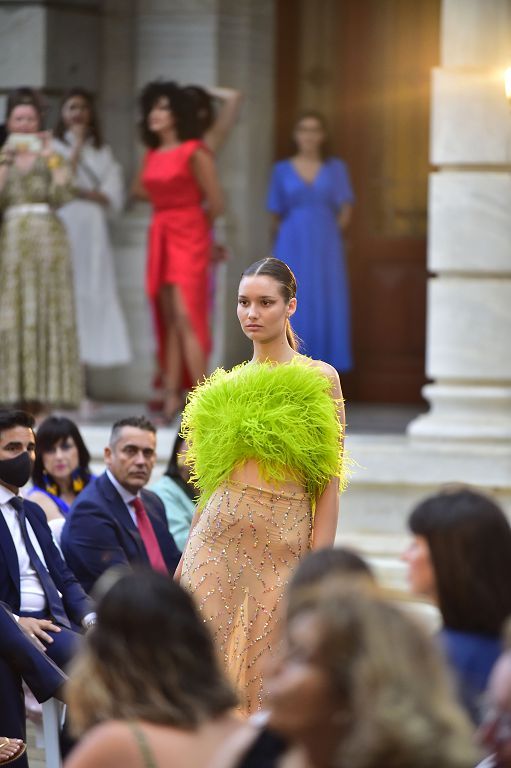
32 597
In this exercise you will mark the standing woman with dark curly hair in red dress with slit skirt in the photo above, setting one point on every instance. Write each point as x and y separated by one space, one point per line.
179 178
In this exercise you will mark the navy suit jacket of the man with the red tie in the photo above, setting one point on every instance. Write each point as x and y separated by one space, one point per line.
99 532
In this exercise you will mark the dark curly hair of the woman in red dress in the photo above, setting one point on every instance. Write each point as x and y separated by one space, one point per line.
180 105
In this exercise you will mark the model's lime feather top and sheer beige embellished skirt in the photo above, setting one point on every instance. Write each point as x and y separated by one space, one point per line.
263 443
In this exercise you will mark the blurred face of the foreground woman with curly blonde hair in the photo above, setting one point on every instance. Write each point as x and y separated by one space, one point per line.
298 688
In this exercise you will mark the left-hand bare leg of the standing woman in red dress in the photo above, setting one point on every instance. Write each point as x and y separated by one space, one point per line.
173 368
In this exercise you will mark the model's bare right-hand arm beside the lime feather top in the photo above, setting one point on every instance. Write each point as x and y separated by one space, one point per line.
327 507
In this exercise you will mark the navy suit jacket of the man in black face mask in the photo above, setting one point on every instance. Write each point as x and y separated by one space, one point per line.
76 602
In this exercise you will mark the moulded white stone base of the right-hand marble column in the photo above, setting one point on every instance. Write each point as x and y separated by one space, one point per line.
464 412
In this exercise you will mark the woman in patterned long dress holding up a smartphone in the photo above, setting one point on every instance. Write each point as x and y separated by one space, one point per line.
39 356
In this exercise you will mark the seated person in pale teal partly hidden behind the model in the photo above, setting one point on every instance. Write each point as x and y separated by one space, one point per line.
177 493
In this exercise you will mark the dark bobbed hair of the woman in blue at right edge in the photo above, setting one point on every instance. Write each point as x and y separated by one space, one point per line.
469 539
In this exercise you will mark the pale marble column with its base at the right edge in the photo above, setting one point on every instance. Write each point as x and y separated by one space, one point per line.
469 251
